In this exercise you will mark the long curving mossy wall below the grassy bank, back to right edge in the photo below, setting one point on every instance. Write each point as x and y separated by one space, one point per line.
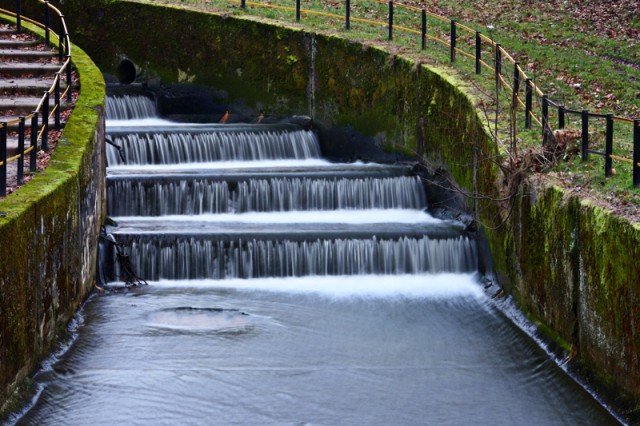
571 266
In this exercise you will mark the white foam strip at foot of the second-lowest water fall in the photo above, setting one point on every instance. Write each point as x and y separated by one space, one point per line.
320 216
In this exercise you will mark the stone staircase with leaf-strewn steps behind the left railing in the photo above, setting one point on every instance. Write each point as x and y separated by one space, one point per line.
27 69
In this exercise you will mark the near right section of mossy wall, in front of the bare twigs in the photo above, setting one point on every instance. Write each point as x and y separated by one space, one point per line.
576 268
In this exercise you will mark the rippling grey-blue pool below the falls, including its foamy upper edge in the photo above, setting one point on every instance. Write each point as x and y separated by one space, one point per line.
321 350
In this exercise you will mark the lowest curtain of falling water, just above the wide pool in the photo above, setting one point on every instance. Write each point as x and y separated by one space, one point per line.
188 258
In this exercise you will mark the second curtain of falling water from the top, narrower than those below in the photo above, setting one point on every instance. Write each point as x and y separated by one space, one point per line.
211 146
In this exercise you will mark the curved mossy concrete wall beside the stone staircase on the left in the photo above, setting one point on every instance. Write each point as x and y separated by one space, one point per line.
48 236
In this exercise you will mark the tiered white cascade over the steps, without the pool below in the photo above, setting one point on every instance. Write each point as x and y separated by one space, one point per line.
214 249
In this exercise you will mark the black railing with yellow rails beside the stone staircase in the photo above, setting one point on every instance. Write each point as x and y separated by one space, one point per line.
35 126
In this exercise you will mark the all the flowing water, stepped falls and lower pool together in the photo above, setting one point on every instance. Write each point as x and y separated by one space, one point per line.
288 290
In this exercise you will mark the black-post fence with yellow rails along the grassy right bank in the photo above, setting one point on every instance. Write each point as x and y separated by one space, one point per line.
536 107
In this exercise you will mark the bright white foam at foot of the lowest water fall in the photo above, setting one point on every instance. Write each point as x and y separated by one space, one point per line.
419 286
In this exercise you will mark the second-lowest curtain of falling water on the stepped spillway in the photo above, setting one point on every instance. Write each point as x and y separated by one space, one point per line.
198 196
